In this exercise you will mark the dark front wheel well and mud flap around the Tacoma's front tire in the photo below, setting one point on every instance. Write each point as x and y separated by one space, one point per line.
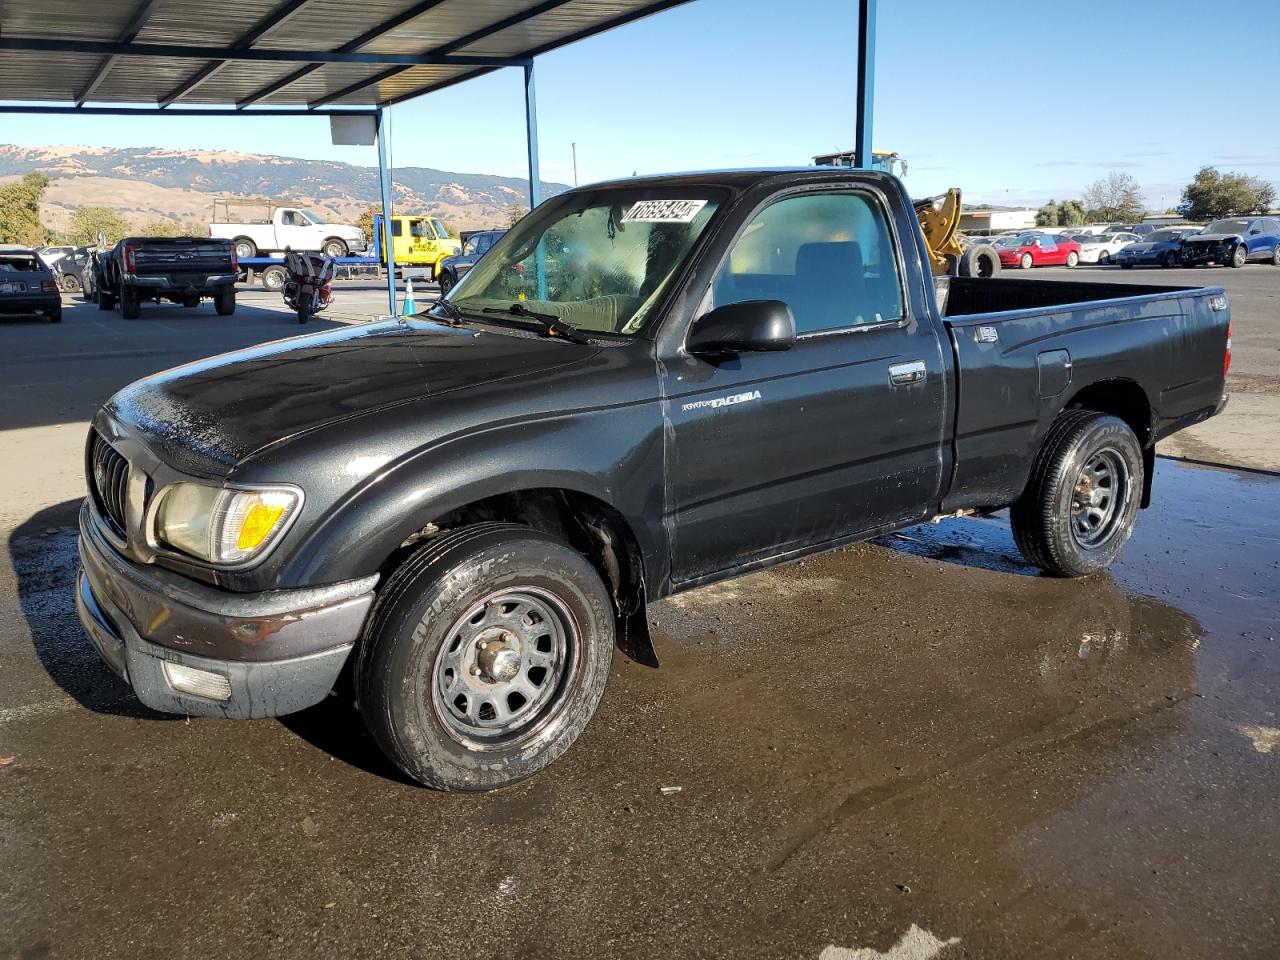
587 524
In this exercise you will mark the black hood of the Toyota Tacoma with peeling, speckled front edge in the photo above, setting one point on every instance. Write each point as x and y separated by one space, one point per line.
208 417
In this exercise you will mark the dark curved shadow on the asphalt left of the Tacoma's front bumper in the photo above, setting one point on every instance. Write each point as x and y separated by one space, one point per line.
43 555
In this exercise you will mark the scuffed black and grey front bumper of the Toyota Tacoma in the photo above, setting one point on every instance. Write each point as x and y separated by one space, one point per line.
280 651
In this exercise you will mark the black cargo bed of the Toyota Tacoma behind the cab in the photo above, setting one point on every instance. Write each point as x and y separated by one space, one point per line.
1025 349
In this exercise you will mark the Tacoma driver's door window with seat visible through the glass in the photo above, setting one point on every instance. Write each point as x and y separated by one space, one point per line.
829 257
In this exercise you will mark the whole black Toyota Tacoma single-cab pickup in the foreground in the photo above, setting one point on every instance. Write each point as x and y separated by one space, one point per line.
644 387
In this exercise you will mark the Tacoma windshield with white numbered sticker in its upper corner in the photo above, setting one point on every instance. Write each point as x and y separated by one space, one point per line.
598 262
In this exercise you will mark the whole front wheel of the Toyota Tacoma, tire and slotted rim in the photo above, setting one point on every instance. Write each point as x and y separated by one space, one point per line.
484 657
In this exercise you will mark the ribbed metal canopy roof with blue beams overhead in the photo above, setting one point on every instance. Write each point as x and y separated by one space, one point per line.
281 53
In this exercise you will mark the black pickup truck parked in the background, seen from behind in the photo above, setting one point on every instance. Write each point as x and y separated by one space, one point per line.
180 269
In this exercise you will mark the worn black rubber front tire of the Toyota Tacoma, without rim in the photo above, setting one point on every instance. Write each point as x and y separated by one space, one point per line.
408 641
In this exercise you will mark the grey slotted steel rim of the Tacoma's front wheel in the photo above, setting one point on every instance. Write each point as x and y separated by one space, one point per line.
510 689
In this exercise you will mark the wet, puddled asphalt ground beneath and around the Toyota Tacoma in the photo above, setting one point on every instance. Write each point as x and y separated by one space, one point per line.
916 733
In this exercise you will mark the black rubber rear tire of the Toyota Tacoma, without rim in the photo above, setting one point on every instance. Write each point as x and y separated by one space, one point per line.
1044 520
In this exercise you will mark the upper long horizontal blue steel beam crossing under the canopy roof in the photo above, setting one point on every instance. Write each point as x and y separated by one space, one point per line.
253 56
